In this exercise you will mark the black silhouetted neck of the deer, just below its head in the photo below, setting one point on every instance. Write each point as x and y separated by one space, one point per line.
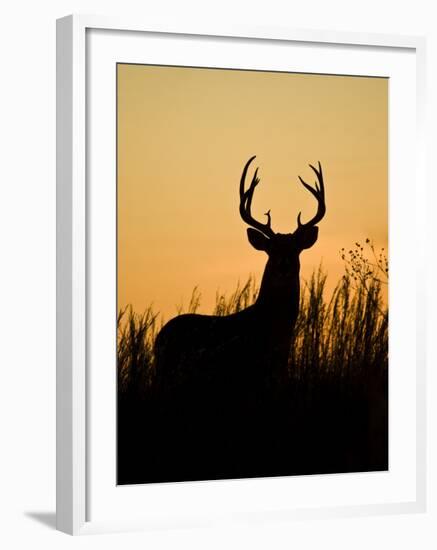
279 297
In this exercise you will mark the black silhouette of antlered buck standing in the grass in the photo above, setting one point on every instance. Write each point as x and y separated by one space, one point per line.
246 353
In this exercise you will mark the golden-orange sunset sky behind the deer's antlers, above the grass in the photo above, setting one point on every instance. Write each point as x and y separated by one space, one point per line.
184 136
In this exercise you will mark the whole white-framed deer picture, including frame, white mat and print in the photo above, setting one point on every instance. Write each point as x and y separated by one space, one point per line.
240 324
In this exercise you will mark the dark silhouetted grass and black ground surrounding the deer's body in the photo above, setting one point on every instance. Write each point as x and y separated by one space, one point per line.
329 414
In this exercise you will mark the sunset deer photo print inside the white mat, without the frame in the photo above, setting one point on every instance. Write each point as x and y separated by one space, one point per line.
252 274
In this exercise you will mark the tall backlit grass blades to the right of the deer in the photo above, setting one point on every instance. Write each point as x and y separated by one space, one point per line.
346 334
